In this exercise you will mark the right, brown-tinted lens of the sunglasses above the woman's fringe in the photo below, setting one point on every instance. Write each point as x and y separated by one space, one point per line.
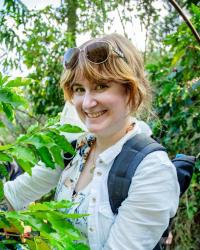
97 52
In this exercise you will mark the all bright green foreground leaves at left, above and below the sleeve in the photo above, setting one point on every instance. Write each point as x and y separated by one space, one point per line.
51 226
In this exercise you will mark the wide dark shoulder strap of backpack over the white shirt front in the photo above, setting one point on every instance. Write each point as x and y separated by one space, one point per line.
125 165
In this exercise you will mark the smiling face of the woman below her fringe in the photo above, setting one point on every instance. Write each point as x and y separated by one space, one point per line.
102 106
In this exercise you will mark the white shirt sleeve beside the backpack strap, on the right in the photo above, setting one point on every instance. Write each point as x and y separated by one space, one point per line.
152 200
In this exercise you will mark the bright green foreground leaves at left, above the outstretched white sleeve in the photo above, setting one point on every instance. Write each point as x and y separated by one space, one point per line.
43 143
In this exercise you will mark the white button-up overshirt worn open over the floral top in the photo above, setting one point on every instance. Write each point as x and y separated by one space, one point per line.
152 199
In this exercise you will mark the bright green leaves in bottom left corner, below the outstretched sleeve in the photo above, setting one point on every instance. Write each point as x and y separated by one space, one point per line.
50 227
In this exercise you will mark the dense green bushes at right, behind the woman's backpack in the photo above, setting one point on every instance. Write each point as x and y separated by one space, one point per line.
176 79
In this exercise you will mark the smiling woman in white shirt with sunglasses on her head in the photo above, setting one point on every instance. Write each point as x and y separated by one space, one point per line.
104 79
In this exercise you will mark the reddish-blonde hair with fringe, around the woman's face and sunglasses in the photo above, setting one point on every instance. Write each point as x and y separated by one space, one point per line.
130 74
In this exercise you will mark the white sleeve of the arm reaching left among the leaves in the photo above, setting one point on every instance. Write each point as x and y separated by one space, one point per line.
25 188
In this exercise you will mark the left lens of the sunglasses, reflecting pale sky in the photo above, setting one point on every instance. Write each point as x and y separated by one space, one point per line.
70 57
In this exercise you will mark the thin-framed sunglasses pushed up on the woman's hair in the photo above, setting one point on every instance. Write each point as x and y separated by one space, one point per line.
97 53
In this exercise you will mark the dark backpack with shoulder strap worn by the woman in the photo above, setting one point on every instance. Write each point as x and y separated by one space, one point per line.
126 163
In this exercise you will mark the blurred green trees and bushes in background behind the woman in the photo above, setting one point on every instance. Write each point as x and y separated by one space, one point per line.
35 40
